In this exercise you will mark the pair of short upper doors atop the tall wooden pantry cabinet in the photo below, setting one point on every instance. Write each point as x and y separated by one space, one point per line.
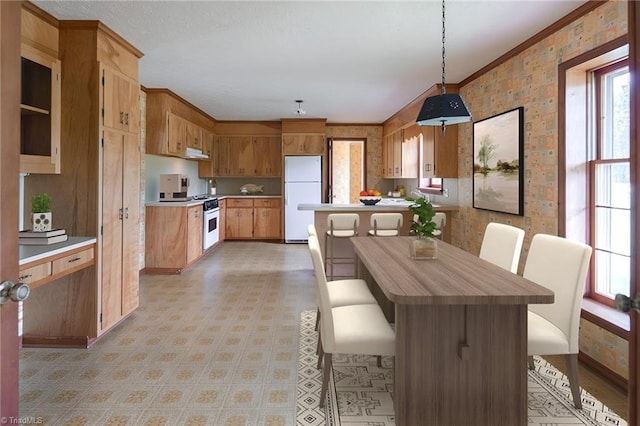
120 106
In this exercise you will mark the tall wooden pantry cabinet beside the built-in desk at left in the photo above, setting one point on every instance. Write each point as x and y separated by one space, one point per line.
96 193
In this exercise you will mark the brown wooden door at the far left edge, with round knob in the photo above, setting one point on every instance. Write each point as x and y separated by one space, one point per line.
10 13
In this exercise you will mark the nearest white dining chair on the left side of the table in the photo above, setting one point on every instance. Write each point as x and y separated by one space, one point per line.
353 329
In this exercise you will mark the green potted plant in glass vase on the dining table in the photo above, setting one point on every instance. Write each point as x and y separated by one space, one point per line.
425 246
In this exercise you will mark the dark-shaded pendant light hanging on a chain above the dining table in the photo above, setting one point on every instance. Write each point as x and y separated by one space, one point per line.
445 108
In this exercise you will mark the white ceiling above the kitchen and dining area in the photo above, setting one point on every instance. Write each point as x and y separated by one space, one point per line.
350 61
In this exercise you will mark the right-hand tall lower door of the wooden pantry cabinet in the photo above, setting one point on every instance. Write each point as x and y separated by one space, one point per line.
130 224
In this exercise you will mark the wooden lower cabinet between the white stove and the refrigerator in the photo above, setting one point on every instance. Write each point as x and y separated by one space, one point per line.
253 218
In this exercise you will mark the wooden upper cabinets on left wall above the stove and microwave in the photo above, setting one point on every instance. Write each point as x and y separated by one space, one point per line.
176 128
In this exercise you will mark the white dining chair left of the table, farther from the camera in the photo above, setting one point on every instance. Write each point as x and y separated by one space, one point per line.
351 291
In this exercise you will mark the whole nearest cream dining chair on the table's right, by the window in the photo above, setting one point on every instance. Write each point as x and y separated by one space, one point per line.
560 265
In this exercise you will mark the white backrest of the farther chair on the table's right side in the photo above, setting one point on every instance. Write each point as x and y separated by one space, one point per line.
501 245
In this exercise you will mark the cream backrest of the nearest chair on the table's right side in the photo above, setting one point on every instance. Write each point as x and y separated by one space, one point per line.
560 265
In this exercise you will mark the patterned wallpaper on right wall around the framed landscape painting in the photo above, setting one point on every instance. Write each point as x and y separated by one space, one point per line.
530 80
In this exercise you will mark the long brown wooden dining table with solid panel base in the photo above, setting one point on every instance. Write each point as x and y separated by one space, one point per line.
461 333
